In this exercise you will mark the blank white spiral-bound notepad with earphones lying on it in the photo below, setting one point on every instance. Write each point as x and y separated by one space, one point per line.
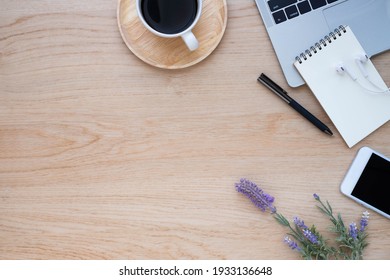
356 107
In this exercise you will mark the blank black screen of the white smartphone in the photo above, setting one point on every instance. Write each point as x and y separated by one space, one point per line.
373 186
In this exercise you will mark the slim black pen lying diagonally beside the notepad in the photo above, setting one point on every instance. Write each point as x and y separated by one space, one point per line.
283 94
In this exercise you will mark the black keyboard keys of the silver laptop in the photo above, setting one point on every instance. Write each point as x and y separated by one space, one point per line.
287 9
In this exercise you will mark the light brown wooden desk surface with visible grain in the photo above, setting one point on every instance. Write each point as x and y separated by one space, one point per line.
105 157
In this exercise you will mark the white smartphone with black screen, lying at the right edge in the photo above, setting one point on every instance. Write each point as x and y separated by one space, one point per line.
368 181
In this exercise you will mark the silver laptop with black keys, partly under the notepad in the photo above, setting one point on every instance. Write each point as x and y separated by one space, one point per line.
293 26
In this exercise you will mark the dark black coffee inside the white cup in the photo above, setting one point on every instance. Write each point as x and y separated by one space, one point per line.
169 16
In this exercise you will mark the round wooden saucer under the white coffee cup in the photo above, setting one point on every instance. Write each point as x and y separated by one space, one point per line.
172 53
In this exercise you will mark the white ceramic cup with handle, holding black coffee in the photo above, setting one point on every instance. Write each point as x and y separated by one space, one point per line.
186 34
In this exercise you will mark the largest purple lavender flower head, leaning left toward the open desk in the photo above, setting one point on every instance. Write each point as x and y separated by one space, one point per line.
261 199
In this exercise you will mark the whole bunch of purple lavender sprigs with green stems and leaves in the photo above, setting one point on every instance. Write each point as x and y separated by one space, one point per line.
350 243
